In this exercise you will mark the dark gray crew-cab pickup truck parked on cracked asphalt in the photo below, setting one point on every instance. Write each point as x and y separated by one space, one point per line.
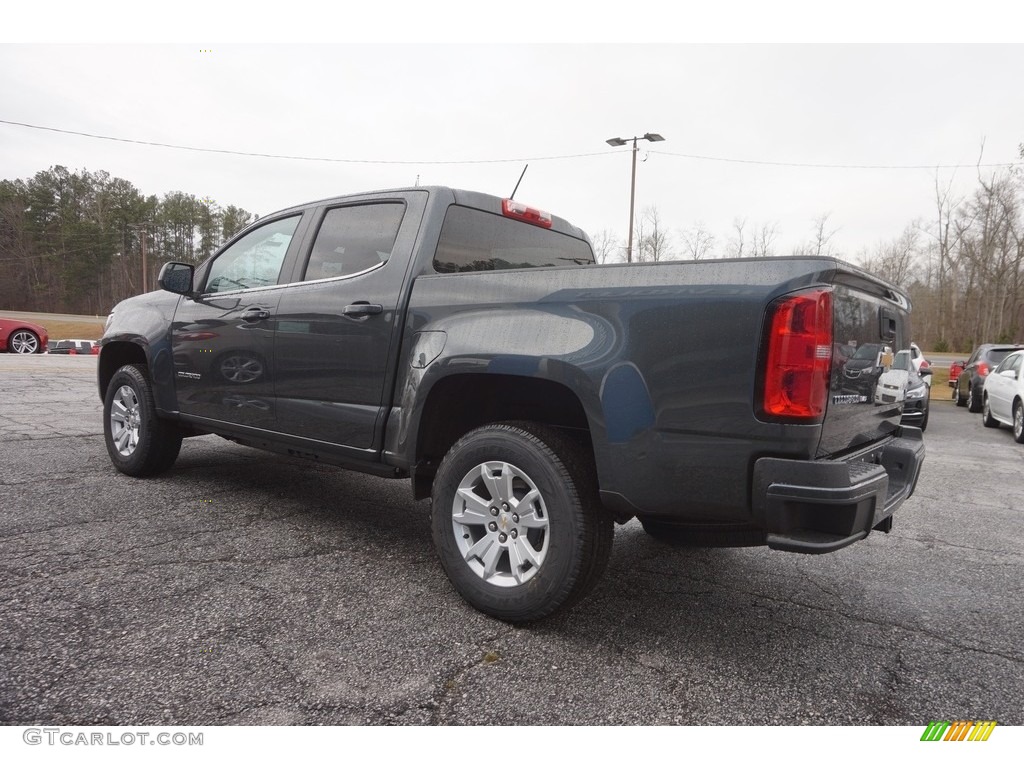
473 346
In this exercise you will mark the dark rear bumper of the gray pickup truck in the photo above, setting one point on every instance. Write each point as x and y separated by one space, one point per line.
816 507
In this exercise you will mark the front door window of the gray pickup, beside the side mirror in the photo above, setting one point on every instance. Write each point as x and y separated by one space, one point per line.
255 261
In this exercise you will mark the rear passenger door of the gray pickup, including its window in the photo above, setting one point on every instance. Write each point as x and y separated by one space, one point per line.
338 323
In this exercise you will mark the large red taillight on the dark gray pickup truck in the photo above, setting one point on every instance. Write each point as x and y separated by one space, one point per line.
799 358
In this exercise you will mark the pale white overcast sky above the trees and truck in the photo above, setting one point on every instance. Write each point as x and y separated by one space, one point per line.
448 113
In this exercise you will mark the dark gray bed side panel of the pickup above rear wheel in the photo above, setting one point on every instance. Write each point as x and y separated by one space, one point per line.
664 359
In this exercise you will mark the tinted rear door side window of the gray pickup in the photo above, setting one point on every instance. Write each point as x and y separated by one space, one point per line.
355 239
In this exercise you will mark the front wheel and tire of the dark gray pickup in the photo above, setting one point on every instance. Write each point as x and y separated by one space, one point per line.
139 442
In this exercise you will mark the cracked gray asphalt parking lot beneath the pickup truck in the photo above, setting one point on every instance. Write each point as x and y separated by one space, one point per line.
246 588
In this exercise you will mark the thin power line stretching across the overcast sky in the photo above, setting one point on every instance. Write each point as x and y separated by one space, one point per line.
709 158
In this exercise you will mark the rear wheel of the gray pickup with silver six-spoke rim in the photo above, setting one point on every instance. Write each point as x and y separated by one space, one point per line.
518 523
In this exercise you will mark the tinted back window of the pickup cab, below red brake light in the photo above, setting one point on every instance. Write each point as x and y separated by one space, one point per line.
477 241
